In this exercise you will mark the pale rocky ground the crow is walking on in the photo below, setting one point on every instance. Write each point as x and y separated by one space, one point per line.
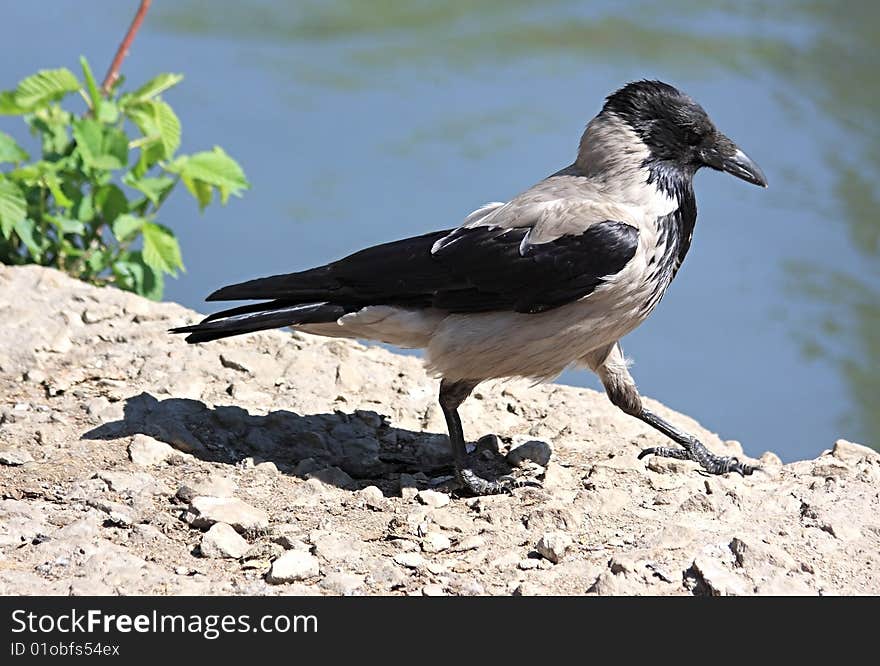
132 463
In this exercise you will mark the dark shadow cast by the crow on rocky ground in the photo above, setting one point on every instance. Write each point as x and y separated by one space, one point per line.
348 450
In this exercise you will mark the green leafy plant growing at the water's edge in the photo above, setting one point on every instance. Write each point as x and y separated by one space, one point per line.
89 204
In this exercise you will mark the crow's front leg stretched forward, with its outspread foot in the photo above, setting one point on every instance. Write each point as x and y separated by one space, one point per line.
611 367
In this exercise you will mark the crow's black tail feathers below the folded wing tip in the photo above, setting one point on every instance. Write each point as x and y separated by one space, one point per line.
260 317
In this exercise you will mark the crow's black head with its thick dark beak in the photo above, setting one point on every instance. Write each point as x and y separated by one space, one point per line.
677 131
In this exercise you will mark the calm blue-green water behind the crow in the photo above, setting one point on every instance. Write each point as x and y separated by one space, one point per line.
361 122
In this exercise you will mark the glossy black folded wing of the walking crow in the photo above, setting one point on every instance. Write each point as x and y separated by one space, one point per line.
484 269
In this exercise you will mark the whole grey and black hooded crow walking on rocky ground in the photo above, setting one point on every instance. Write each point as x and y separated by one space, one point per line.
554 277
